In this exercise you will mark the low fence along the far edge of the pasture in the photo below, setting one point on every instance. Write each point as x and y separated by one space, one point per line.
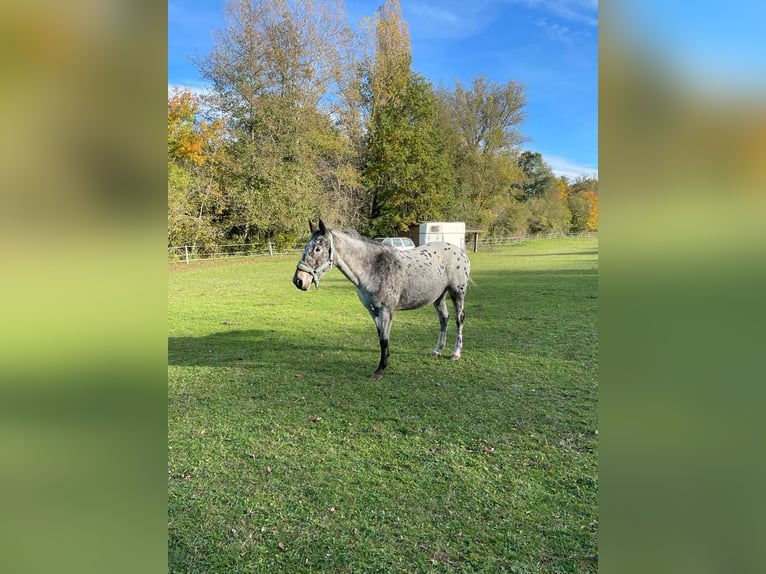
188 253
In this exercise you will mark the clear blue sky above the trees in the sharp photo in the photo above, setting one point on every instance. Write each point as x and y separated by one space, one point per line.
550 46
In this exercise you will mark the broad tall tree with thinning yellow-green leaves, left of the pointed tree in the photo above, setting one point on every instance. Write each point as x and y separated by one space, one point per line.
276 70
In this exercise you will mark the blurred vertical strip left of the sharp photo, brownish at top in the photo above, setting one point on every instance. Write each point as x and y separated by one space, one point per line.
83 289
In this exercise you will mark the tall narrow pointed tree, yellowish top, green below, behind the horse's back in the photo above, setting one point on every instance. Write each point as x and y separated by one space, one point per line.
404 167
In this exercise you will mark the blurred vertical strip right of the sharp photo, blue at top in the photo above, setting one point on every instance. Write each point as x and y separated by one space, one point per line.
682 139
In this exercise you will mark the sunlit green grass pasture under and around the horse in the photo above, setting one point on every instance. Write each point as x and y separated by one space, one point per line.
283 456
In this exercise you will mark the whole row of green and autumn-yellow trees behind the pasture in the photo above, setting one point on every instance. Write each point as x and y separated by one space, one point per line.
308 116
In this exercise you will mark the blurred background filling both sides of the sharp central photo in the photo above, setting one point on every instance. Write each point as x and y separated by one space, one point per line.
683 245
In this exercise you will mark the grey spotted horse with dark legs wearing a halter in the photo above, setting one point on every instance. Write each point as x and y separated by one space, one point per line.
388 280
